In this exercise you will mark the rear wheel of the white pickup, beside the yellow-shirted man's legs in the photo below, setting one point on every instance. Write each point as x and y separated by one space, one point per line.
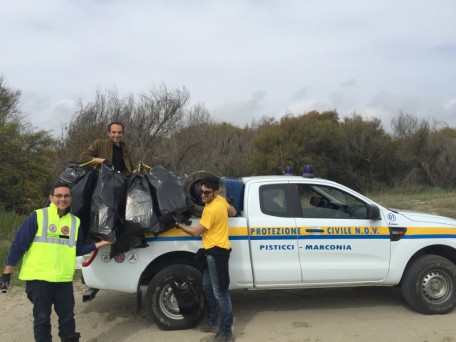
162 304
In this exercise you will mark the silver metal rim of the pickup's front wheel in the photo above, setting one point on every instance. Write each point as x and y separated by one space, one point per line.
436 287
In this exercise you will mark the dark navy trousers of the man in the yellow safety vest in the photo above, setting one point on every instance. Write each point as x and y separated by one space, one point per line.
43 295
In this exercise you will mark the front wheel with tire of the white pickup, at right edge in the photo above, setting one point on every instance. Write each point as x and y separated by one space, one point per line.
429 285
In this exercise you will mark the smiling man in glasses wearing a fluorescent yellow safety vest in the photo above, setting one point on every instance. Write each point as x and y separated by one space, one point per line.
49 241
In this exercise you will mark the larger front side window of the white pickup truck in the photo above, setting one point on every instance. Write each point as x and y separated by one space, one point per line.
326 202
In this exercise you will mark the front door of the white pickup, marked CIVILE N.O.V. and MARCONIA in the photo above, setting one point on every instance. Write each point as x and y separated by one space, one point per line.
338 243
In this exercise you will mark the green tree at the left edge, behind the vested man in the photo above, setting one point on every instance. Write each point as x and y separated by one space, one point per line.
25 161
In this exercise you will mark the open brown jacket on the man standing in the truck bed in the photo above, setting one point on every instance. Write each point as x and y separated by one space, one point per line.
102 148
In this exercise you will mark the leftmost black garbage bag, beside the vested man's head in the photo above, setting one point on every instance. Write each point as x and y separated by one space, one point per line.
82 180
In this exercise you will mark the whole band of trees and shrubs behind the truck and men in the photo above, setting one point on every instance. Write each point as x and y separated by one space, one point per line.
163 128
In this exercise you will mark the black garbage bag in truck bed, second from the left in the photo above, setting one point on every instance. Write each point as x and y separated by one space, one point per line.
107 212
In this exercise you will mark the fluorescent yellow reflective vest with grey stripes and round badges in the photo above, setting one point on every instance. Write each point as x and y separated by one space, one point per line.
52 254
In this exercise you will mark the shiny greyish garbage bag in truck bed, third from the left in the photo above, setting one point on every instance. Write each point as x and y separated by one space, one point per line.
140 214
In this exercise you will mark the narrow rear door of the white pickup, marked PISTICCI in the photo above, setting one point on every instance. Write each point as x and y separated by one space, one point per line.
273 235
